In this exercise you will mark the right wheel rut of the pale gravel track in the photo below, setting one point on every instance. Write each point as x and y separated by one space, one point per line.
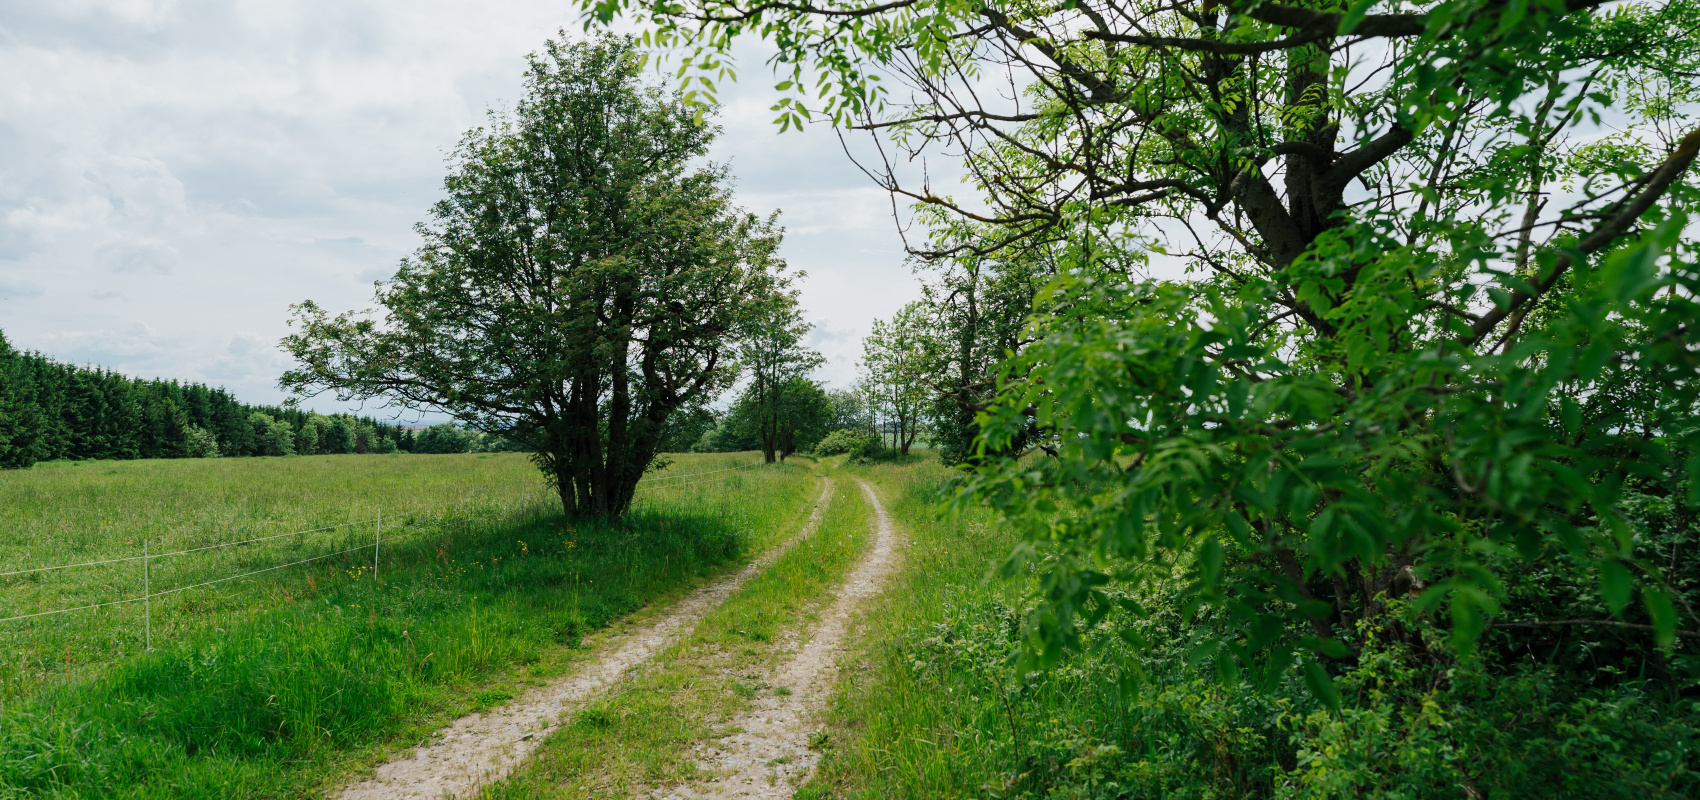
769 753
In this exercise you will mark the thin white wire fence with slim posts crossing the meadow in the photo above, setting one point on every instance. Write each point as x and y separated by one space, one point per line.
149 560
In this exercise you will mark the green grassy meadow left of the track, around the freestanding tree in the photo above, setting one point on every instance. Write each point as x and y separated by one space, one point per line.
281 684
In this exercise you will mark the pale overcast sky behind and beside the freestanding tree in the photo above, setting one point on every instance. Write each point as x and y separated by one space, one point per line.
176 174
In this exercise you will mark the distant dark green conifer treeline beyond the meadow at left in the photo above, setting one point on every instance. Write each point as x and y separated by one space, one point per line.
52 410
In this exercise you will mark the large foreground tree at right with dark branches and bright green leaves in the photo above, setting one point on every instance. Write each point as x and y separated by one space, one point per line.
1359 301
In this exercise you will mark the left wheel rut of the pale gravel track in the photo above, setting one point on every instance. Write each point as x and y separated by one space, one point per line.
484 748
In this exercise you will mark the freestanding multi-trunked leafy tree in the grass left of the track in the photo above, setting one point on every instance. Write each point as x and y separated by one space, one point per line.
584 279
